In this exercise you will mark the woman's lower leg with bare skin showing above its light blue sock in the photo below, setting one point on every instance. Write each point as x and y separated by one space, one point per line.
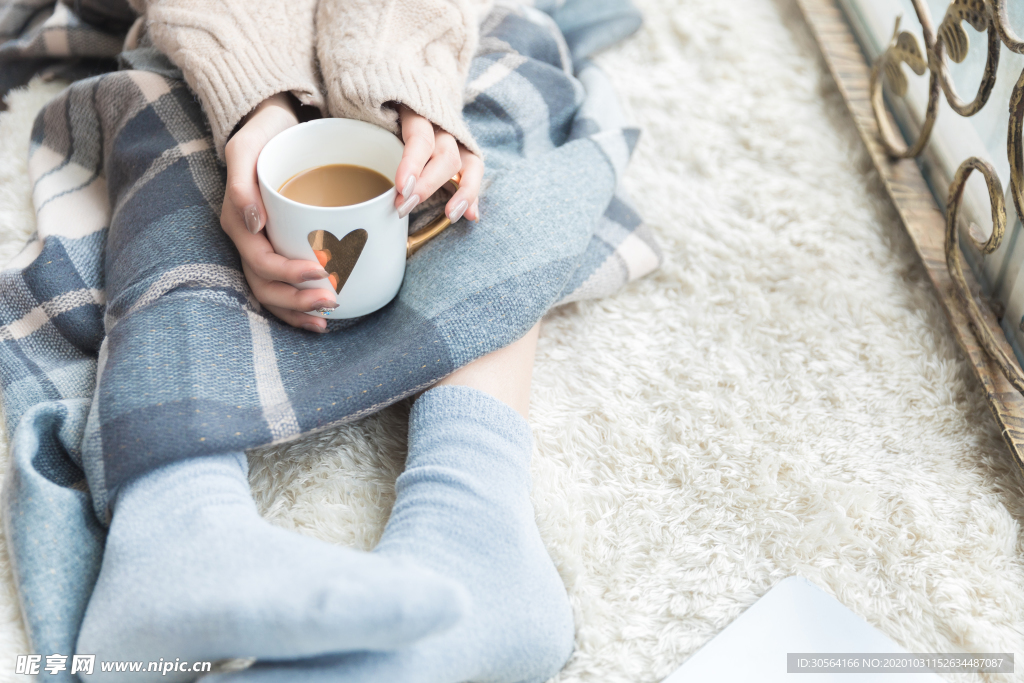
463 509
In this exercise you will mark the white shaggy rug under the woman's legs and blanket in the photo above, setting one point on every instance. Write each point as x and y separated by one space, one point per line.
785 397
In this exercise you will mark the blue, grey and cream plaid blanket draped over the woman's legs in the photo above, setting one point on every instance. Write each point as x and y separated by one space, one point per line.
130 338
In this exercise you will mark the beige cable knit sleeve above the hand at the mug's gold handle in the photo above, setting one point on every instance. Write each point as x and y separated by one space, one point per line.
417 53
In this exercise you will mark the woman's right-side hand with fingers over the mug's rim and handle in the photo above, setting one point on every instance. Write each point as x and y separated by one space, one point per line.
432 158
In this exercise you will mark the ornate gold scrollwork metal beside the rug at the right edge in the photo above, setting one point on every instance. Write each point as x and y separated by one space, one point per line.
951 40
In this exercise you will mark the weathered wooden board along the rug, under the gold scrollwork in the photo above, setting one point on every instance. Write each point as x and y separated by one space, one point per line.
922 218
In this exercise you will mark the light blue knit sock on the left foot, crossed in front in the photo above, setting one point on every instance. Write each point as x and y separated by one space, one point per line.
192 572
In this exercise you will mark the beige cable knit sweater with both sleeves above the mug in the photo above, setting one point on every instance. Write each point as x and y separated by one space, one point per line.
352 59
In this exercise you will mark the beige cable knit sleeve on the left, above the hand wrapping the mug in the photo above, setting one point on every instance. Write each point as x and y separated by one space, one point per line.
235 55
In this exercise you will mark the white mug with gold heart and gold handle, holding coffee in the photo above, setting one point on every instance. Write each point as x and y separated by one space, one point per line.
368 241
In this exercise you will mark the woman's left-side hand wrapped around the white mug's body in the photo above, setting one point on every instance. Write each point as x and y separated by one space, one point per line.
271 277
